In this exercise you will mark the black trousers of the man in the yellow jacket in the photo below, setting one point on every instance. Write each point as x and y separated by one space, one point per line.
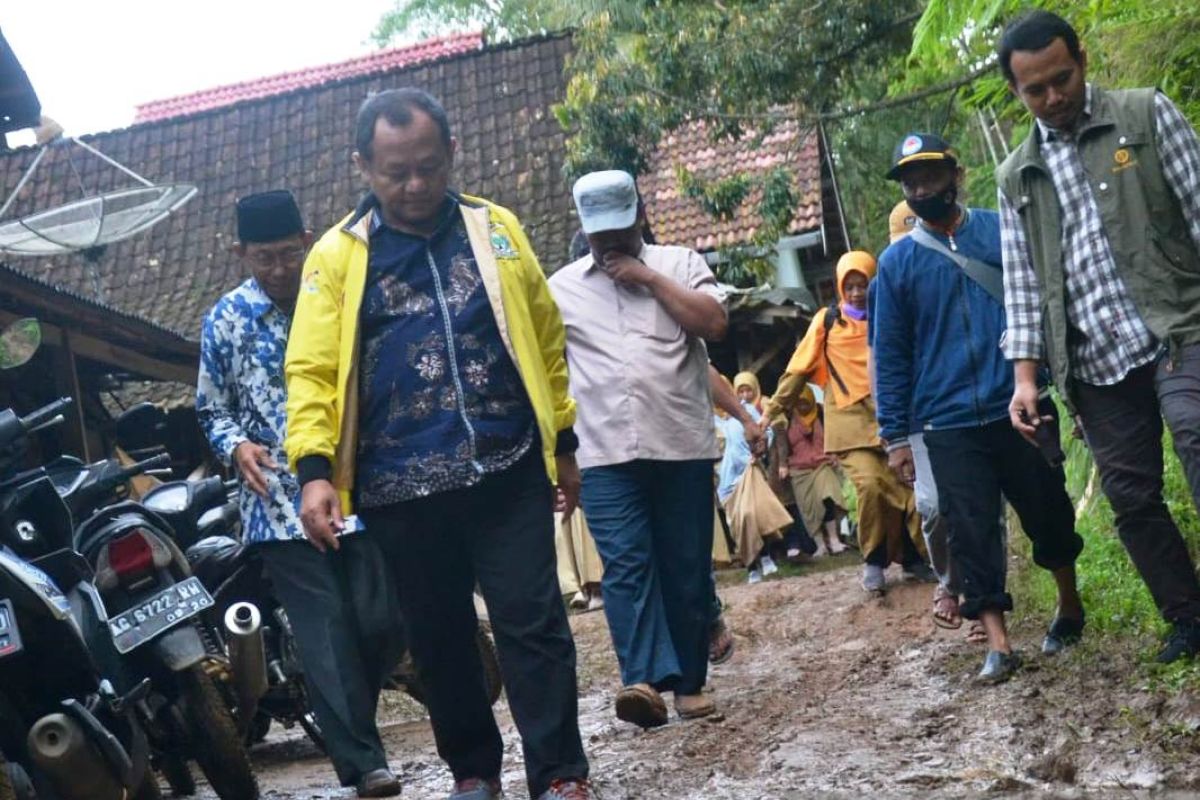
500 534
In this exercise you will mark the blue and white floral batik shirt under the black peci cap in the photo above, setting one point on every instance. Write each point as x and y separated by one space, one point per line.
241 396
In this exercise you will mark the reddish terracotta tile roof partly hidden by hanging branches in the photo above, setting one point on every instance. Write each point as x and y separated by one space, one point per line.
679 220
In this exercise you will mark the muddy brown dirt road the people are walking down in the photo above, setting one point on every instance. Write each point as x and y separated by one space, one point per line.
833 694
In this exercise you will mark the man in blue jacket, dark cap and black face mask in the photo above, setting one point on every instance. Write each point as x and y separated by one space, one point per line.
940 320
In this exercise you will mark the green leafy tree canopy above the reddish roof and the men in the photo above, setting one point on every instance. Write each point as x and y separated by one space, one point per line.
867 70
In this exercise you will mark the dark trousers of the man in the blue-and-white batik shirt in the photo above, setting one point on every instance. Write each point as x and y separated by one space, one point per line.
344 610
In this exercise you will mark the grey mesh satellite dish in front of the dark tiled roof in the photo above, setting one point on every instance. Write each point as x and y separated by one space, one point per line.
93 221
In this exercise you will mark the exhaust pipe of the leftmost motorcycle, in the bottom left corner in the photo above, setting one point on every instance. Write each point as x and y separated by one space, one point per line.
76 769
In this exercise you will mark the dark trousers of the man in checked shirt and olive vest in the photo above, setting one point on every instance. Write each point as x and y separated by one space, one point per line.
1124 426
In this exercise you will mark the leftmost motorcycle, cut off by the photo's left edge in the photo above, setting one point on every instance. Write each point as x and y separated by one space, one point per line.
64 726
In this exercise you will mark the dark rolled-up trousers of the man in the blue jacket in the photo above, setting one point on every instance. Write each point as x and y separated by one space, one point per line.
973 468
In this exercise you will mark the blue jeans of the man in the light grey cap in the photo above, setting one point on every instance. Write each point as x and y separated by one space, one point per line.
652 522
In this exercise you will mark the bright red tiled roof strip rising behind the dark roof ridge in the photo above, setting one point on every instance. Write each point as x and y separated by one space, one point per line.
382 62
